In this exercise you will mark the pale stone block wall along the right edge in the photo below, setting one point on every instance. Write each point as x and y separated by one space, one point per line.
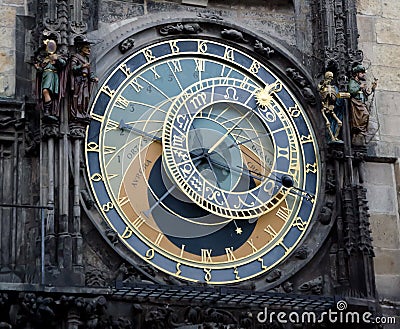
379 26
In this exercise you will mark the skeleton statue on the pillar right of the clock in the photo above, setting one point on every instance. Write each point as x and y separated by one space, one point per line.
332 107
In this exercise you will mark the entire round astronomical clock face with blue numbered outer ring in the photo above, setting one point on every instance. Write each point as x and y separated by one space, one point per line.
202 160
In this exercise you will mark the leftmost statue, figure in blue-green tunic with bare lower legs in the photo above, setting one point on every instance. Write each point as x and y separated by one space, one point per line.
49 67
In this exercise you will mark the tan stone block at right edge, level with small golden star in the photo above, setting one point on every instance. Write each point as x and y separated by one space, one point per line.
385 231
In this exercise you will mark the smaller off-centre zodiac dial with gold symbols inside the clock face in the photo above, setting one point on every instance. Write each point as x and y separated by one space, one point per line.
219 152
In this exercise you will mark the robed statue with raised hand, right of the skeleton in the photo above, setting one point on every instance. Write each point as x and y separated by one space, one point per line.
359 93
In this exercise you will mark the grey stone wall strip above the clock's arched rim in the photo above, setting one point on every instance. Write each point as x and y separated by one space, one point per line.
275 18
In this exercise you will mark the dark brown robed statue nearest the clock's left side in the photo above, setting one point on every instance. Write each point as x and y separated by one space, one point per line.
82 79
